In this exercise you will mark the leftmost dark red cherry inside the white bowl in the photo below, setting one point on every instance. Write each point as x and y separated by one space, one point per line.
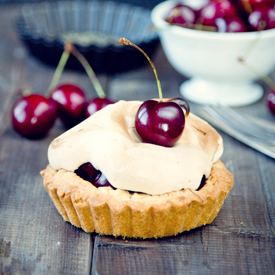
182 15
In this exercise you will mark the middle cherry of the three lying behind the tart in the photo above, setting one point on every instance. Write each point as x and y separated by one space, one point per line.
70 101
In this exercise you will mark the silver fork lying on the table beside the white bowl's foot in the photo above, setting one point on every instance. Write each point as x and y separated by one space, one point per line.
239 123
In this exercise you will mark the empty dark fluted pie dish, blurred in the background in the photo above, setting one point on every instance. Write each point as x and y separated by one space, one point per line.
94 27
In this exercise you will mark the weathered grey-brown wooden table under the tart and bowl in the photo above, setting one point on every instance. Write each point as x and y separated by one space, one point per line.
34 239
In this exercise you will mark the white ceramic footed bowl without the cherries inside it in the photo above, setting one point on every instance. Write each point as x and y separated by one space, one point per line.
210 59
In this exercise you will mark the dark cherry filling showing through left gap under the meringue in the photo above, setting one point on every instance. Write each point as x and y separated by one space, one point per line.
87 172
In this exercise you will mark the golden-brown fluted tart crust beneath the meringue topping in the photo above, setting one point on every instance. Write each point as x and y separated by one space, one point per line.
120 213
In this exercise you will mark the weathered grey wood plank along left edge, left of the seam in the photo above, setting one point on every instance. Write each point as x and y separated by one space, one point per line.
33 237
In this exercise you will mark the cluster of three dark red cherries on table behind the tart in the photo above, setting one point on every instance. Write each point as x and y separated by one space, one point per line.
34 115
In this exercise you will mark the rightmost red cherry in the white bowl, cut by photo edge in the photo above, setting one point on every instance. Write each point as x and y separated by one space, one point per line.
262 19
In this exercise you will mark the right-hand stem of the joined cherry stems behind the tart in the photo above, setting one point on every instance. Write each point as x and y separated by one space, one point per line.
90 72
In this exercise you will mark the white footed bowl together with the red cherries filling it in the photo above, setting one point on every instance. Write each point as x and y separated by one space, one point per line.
222 46
